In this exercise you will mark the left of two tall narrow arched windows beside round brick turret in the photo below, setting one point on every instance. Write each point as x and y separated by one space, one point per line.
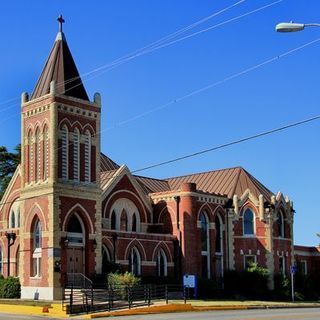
205 252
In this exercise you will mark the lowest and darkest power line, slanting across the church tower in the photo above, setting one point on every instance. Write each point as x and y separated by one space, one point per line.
221 146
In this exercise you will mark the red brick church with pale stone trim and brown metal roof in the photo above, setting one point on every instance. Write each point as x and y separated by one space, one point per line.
71 209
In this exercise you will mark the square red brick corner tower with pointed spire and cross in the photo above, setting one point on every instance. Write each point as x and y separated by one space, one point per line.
60 177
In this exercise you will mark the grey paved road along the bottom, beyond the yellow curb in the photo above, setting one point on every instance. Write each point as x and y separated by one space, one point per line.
269 314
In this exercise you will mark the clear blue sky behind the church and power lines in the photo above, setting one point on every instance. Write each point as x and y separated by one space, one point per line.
284 91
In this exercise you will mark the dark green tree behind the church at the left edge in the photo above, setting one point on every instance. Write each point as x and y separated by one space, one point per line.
8 164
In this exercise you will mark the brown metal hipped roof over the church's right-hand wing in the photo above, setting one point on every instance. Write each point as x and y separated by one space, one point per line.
224 182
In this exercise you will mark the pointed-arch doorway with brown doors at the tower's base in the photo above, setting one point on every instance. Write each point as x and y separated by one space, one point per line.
75 244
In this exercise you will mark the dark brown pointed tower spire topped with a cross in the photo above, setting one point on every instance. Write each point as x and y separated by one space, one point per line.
61 68
